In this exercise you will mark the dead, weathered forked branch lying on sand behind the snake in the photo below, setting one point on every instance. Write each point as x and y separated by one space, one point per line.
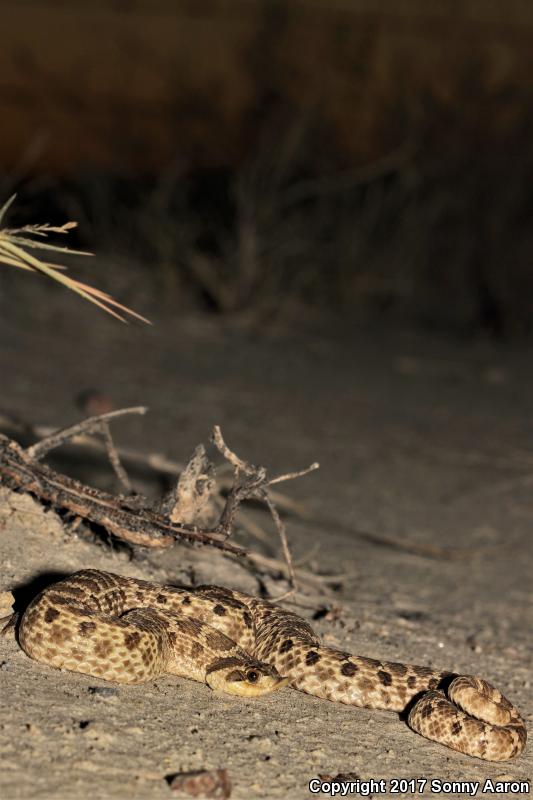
133 518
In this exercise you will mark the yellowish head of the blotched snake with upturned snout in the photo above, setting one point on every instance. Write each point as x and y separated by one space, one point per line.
246 678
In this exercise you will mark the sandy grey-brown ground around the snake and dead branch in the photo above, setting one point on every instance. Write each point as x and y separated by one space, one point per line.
420 439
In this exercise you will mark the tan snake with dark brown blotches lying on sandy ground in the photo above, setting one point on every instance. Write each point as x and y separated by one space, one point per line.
131 631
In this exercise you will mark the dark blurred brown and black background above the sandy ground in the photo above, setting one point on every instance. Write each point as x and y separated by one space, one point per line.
268 159
